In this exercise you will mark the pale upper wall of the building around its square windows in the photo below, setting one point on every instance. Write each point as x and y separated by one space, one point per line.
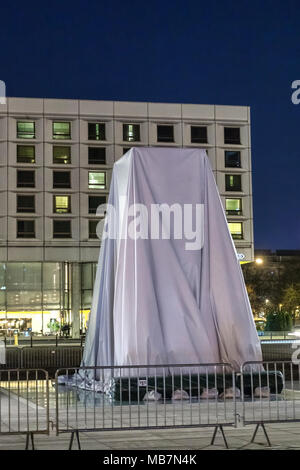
44 248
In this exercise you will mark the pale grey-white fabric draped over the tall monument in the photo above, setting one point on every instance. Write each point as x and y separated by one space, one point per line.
154 302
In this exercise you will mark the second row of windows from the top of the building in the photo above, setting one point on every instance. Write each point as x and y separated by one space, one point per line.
97 155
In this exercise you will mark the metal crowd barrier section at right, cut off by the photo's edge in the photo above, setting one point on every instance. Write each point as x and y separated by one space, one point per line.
270 394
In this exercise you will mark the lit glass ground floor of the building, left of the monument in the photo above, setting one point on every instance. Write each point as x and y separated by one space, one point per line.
45 298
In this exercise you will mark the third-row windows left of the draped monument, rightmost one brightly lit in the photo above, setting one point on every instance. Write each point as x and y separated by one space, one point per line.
61 179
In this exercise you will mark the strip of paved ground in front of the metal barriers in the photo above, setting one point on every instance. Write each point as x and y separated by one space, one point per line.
283 436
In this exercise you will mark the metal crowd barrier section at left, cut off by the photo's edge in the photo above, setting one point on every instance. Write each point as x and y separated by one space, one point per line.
24 403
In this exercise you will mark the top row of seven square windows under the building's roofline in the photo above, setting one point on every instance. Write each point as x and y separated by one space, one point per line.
131 132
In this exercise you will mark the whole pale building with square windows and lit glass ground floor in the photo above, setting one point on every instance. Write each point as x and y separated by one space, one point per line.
56 161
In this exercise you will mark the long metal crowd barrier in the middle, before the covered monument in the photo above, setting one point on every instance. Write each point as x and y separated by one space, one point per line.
145 397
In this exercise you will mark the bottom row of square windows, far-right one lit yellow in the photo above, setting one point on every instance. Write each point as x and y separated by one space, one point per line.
62 229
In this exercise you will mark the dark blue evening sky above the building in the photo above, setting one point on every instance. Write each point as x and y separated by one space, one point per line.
216 52
